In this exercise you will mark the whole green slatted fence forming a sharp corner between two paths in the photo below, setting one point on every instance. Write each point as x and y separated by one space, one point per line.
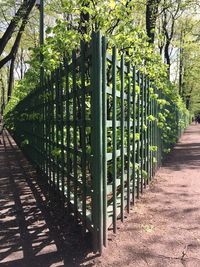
93 130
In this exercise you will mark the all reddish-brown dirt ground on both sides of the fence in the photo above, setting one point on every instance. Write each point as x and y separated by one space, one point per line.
162 229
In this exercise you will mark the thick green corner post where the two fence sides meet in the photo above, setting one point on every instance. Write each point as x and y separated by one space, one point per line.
97 174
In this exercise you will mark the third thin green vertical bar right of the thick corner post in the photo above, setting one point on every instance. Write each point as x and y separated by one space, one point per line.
122 136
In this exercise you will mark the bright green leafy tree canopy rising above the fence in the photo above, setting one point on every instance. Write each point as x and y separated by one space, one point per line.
161 37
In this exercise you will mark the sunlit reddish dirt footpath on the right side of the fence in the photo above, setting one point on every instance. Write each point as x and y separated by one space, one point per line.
164 228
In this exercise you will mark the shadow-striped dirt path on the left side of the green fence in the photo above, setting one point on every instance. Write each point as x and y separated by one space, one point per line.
34 229
